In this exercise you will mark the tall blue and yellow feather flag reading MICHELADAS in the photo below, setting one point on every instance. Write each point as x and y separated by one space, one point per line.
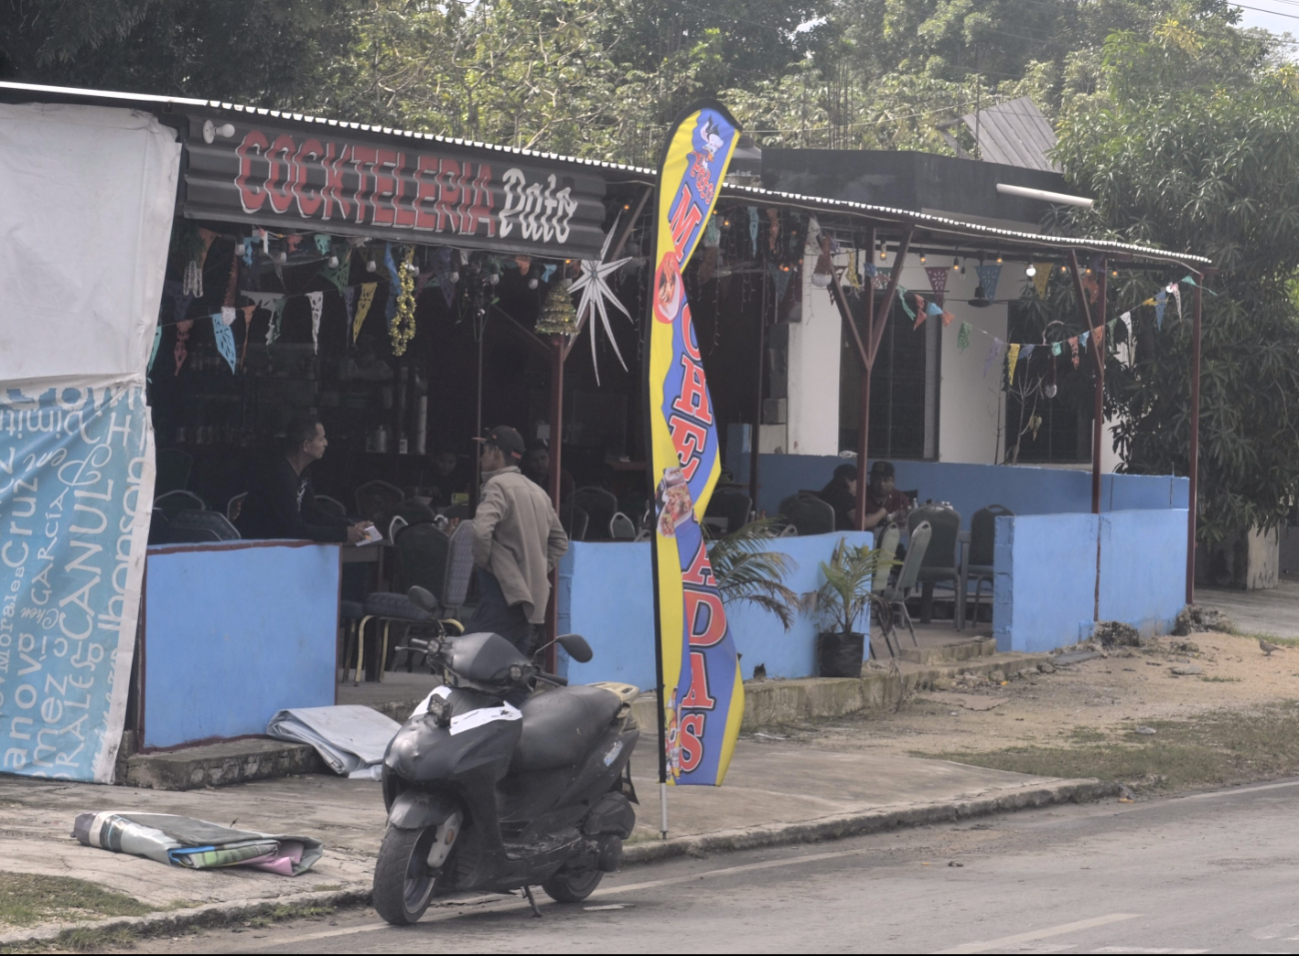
701 689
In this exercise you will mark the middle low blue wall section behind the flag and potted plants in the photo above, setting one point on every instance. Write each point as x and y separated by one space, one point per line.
606 596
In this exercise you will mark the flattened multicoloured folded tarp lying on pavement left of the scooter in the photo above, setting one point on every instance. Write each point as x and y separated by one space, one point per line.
195 844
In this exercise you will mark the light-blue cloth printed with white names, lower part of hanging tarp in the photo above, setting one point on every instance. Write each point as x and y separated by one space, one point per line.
76 492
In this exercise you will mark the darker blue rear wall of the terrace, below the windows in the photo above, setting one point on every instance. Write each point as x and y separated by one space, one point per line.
1023 489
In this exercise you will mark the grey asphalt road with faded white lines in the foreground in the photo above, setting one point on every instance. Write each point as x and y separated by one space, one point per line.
1207 874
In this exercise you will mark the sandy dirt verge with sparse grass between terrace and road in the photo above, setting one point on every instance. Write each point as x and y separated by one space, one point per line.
1126 715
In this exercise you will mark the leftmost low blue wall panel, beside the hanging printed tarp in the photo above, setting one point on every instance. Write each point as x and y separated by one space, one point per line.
234 633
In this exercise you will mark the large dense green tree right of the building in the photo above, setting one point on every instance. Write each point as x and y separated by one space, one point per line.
1193 144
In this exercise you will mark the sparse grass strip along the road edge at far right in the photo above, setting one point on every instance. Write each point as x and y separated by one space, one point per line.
1210 750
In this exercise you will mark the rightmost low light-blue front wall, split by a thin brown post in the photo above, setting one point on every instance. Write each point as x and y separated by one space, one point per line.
1045 590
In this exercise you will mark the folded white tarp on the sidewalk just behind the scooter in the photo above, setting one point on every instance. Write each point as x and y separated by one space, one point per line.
353 740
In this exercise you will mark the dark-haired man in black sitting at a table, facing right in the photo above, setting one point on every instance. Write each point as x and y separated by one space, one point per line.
281 502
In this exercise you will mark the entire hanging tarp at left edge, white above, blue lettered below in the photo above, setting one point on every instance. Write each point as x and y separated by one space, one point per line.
88 195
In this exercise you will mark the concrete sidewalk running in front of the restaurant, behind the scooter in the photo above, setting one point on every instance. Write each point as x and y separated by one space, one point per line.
775 794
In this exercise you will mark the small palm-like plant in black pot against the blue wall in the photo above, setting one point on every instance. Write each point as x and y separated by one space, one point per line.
841 603
